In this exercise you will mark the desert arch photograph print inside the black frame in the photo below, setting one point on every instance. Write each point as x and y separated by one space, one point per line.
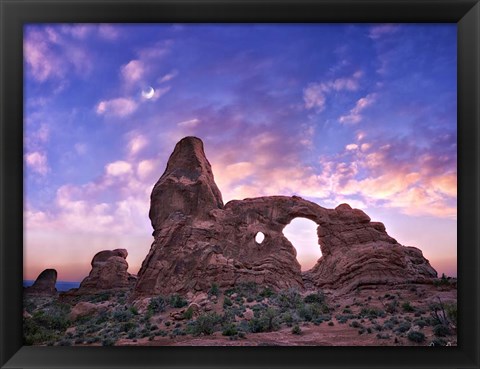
240 184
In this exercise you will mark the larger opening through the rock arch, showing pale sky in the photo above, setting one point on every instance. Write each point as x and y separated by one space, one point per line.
302 234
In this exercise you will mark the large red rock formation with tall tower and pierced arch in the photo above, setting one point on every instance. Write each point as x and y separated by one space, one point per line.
198 241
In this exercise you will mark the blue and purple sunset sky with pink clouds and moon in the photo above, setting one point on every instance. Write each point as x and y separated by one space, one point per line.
363 114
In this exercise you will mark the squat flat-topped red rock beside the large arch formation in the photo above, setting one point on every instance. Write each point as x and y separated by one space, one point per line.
109 272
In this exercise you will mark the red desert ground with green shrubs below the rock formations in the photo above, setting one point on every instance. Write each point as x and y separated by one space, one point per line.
250 315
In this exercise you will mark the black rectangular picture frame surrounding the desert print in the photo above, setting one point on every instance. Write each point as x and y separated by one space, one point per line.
14 14
